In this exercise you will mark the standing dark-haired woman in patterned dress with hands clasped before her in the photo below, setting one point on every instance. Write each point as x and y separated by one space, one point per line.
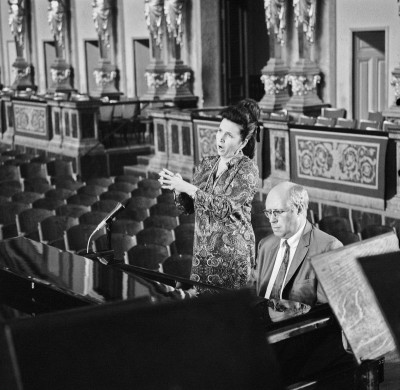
220 196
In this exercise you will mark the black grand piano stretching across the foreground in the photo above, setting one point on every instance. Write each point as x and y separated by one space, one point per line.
70 321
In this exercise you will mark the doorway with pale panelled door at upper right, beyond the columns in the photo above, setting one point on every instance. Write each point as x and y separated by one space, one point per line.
369 71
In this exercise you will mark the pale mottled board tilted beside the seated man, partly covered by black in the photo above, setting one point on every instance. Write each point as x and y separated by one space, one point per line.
351 297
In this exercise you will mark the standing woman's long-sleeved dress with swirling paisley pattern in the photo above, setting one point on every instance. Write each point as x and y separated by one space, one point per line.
224 246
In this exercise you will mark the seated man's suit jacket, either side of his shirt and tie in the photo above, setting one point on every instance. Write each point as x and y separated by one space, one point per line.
301 283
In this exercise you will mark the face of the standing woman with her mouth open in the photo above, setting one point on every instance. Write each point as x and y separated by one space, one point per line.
228 138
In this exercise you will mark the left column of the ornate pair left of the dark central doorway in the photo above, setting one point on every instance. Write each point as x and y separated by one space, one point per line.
155 71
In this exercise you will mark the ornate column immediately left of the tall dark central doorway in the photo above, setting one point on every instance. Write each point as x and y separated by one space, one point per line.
178 75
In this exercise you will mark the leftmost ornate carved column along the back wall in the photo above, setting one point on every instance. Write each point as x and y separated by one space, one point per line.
17 22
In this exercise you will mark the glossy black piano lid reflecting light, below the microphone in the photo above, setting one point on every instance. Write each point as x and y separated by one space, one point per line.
75 275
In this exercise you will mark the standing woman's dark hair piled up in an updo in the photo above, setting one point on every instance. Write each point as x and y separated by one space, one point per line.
245 114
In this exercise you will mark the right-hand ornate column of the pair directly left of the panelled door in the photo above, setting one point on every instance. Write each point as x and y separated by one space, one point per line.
305 75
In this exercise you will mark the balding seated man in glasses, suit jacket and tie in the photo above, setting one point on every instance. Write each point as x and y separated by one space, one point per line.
283 267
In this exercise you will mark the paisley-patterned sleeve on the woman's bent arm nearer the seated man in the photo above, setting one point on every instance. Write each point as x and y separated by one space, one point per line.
242 187
